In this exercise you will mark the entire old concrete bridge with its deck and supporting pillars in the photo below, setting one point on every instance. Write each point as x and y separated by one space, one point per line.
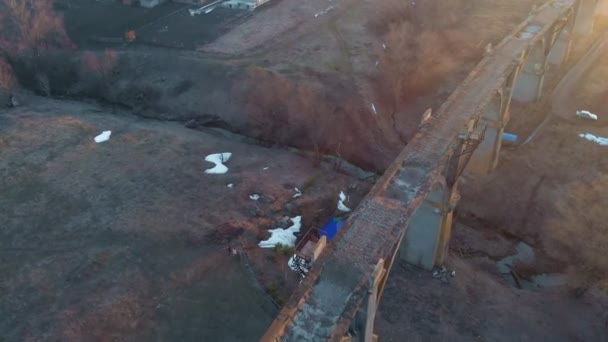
408 213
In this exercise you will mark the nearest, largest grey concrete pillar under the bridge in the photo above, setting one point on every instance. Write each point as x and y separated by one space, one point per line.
428 233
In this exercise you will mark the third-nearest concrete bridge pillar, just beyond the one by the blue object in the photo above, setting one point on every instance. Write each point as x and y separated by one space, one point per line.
529 83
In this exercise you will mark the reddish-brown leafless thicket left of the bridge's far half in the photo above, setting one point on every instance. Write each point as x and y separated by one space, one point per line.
422 45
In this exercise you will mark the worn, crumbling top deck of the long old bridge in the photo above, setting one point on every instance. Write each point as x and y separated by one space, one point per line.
325 304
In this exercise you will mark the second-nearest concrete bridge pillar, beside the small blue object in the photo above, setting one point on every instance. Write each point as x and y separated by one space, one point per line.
495 117
